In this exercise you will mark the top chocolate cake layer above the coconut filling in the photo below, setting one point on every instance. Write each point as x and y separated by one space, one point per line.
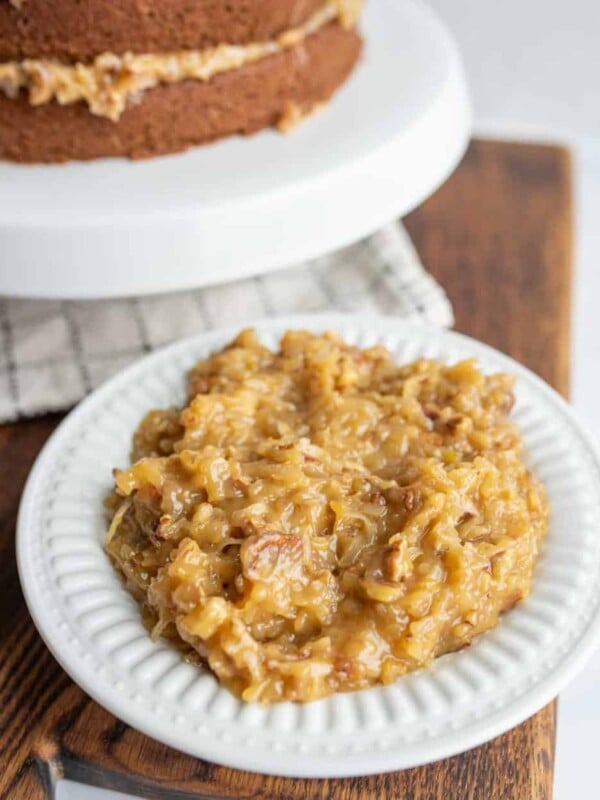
78 31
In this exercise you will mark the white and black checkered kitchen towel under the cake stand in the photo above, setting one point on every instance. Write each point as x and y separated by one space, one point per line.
52 353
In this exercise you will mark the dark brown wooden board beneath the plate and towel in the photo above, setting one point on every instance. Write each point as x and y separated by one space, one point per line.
498 236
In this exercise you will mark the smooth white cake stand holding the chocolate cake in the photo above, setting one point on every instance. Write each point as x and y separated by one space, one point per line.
244 206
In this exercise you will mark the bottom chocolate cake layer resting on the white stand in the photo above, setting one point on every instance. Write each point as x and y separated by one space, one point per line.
171 118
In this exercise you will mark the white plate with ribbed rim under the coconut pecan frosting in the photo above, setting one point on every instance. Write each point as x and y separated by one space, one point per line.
93 627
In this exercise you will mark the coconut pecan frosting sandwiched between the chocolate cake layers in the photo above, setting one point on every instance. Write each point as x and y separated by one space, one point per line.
111 81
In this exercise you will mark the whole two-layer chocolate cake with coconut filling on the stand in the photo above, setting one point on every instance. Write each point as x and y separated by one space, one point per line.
140 78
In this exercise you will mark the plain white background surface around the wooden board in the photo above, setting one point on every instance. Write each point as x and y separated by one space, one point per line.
534 68
